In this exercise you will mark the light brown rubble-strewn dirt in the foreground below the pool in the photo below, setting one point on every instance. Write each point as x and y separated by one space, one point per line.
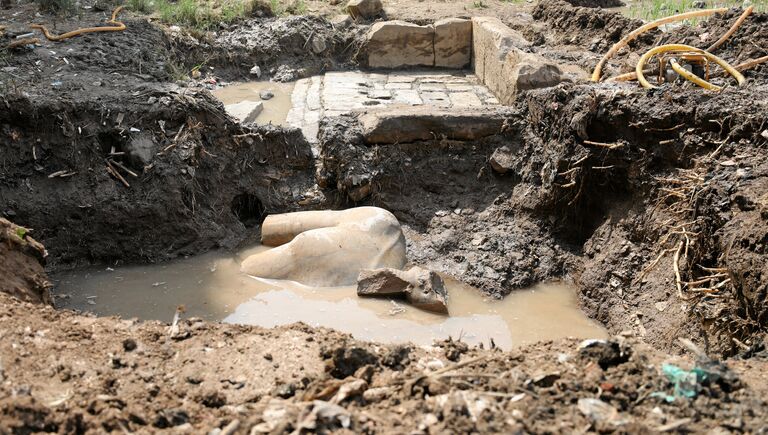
146 377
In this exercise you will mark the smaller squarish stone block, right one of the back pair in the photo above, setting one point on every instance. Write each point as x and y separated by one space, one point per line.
453 43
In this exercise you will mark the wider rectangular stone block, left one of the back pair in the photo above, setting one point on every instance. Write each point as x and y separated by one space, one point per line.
393 44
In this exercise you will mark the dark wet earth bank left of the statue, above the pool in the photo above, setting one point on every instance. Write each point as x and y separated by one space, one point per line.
142 177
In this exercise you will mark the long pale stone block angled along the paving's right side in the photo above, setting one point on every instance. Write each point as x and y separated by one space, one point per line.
502 65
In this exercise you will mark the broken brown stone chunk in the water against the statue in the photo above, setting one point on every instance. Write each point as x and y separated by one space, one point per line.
422 288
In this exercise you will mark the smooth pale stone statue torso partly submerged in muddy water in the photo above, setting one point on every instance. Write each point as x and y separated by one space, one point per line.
328 248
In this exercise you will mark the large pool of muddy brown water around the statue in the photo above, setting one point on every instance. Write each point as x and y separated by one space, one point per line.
211 286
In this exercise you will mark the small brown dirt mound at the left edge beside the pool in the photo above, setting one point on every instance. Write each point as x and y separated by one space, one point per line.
21 268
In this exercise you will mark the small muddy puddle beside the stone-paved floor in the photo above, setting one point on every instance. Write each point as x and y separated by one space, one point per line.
275 109
